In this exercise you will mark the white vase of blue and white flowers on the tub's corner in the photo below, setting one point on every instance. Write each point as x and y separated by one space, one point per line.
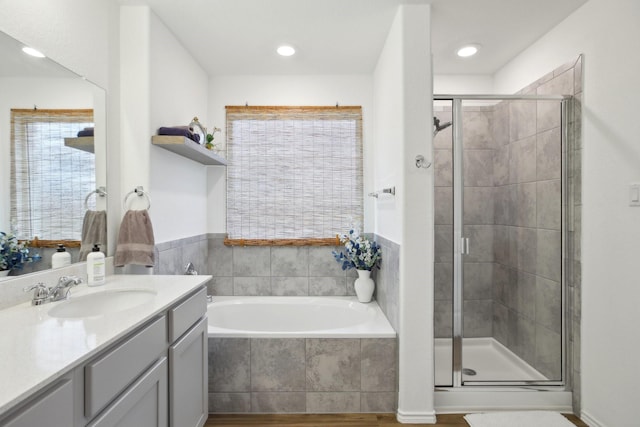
363 255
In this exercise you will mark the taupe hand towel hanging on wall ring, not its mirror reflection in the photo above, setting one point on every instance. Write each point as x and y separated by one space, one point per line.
135 240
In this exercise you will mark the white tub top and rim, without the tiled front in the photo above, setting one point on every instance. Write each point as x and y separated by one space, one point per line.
296 317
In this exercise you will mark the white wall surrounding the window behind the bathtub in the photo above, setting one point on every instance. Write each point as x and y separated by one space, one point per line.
286 90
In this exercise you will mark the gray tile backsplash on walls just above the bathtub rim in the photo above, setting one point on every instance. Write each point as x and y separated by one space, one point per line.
297 271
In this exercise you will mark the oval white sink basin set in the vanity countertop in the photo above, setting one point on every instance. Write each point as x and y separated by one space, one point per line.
101 303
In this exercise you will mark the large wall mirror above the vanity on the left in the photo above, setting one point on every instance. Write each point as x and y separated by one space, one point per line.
47 109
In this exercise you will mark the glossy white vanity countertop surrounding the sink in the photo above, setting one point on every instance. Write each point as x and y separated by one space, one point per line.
36 349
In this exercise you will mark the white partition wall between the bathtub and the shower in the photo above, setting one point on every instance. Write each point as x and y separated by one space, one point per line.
402 87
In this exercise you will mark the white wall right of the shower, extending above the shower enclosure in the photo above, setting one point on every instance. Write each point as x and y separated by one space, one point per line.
607 32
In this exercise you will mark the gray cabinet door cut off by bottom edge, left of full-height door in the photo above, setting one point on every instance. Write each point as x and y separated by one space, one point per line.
144 404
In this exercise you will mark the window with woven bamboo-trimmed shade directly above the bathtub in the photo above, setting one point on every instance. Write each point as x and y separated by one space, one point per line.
293 173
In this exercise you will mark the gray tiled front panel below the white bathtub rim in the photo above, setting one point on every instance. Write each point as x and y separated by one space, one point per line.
302 375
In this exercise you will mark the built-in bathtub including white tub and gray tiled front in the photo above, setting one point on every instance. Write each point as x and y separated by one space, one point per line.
300 354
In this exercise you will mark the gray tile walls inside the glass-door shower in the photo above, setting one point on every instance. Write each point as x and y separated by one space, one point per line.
512 202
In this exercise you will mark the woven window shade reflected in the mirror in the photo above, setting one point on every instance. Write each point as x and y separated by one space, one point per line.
48 180
